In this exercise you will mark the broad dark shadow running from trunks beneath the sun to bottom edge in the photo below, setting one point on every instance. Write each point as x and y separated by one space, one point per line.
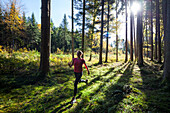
115 93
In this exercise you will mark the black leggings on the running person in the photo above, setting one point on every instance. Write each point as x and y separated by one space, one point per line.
78 80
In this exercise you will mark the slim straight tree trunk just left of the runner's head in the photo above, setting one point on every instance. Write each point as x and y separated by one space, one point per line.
72 29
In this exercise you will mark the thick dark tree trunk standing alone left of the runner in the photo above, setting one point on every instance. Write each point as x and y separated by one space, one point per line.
45 36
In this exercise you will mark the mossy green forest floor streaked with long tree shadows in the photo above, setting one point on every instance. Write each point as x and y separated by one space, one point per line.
113 87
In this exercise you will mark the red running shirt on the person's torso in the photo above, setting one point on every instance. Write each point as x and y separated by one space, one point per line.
78 65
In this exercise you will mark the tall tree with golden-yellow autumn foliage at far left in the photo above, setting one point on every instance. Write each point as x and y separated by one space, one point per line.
12 25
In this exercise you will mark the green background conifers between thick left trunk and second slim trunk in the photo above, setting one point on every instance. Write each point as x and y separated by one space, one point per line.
61 37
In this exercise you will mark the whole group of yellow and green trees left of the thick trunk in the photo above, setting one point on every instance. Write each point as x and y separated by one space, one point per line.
16 30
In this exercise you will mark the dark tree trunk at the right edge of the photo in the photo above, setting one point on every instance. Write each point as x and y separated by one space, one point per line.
167 41
